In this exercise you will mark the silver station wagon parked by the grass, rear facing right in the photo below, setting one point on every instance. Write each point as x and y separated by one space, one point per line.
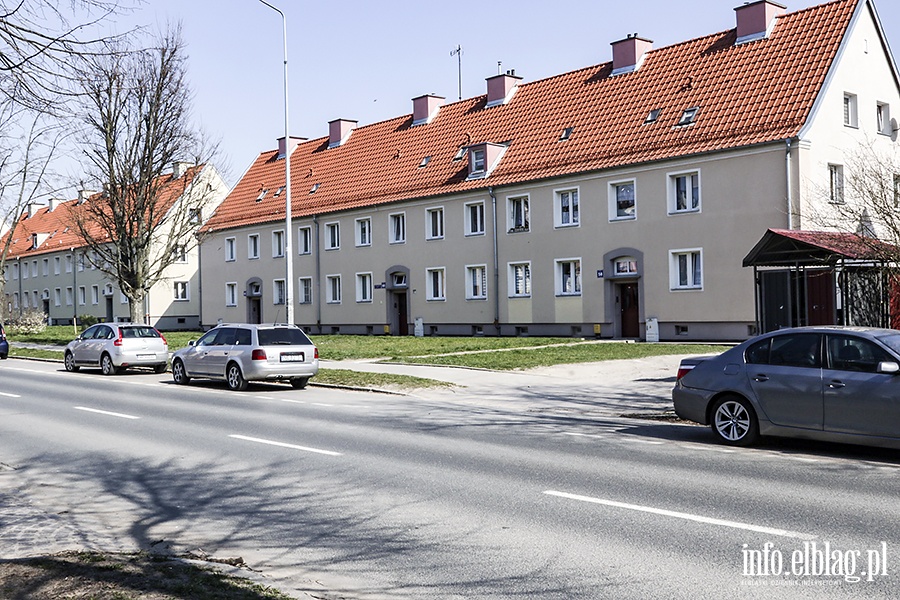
240 353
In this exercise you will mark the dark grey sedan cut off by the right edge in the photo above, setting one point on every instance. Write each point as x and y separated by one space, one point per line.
839 384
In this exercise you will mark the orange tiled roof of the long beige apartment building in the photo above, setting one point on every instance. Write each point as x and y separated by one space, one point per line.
753 93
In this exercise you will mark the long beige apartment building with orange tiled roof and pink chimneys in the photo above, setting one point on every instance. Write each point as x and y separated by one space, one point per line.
583 204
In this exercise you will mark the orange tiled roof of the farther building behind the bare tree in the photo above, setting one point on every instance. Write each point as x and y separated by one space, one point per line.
60 223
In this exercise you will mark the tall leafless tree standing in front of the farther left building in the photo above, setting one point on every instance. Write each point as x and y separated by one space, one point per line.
138 124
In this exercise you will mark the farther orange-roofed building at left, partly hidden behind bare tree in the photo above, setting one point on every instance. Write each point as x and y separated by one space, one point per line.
48 266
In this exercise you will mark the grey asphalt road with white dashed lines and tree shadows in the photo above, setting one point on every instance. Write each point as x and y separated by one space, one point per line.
464 494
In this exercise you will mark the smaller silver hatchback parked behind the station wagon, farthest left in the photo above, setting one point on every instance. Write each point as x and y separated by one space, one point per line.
115 347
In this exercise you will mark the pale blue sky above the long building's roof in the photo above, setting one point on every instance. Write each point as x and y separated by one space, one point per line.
366 60
